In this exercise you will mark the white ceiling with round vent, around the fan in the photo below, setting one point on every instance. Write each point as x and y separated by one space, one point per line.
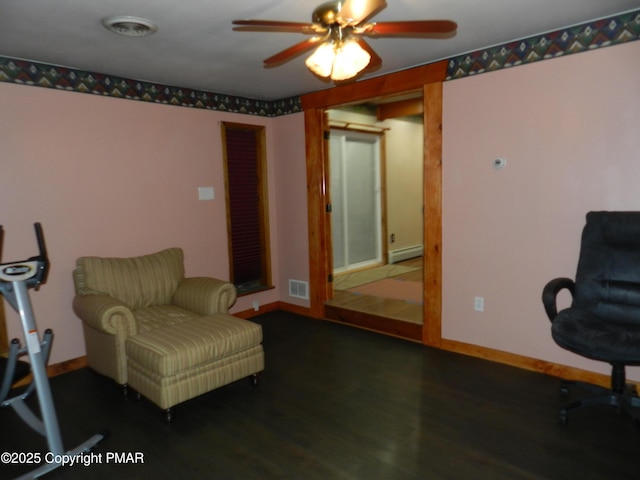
195 46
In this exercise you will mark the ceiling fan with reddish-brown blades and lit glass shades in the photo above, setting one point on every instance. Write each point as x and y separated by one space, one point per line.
337 30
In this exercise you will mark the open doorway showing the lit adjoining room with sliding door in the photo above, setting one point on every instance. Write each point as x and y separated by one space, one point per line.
389 284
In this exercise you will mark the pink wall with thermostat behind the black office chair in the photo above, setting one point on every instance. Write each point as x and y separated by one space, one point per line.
569 131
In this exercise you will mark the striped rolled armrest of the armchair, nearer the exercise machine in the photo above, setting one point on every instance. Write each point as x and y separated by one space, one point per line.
105 314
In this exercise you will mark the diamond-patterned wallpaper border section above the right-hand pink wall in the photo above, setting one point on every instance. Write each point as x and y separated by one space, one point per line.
589 36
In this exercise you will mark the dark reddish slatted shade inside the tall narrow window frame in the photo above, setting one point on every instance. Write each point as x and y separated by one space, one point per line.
244 207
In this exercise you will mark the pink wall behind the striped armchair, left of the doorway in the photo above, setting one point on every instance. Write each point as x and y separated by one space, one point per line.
111 177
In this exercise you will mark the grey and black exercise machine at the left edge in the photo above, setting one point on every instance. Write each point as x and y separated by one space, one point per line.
16 278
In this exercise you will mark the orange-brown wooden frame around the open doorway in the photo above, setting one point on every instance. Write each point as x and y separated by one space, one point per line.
428 80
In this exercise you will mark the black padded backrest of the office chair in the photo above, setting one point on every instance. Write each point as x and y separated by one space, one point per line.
608 275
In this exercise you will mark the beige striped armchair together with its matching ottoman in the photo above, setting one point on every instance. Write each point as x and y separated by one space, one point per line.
168 337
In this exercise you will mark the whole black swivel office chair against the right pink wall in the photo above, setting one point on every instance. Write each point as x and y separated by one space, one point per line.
603 321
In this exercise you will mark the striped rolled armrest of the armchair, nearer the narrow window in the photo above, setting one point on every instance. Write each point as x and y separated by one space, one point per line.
205 295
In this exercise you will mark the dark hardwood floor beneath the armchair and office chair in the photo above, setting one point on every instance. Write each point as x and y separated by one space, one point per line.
337 402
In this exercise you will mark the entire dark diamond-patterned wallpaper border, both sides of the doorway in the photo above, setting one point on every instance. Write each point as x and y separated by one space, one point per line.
597 34
